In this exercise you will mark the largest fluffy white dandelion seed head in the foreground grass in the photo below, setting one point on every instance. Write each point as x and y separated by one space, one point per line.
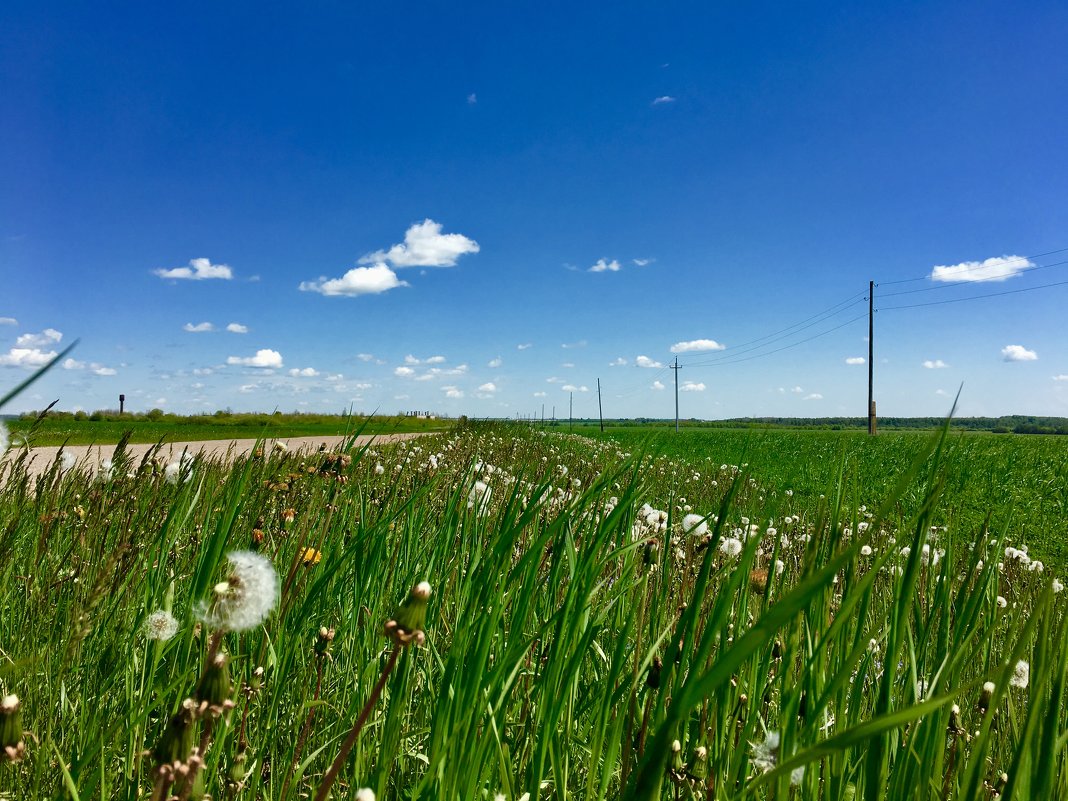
246 599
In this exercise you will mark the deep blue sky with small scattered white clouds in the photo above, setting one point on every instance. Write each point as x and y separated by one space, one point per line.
483 209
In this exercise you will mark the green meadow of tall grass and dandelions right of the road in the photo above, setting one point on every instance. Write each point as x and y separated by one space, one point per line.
504 612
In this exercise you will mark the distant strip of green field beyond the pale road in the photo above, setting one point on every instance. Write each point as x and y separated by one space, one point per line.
67 430
